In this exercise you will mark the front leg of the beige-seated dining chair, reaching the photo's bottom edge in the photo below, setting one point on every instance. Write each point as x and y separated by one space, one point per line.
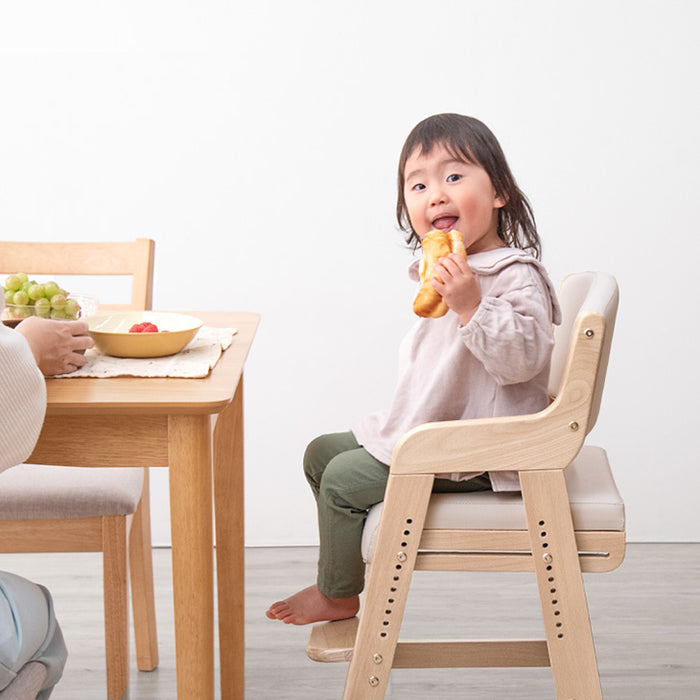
114 565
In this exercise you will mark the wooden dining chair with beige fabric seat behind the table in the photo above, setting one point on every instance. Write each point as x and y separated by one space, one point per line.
73 509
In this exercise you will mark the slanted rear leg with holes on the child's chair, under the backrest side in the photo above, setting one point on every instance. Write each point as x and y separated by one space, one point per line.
562 595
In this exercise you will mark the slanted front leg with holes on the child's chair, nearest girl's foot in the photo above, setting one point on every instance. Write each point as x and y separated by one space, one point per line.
402 519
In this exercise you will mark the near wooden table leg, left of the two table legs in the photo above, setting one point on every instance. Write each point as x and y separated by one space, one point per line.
189 454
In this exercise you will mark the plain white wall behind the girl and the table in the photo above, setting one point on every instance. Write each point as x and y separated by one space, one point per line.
256 142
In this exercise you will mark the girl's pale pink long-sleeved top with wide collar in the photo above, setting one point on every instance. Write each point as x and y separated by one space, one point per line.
496 365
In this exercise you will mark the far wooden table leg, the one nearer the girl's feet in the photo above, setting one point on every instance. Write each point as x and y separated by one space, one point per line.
230 554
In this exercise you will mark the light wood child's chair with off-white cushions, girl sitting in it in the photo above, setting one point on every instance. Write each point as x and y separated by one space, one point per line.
567 519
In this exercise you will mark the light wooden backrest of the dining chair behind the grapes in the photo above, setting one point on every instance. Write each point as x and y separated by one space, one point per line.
133 258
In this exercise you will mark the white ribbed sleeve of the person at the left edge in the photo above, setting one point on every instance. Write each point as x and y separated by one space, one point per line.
22 399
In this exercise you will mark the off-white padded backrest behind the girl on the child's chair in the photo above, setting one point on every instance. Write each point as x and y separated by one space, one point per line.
580 292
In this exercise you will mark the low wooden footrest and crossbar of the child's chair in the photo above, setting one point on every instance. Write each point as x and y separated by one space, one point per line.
334 642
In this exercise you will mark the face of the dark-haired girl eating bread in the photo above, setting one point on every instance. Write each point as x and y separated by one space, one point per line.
444 193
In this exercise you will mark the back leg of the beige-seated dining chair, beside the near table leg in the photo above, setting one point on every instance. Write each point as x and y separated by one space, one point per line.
142 594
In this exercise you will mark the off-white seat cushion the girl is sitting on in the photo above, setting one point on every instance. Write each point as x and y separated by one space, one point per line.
595 504
